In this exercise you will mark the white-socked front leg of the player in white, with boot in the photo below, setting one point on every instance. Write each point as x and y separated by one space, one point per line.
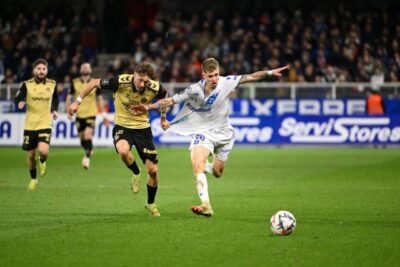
199 157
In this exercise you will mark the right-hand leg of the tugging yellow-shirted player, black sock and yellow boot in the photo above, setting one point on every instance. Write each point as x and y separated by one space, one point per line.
152 185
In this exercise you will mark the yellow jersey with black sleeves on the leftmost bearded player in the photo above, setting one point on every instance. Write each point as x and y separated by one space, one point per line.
41 99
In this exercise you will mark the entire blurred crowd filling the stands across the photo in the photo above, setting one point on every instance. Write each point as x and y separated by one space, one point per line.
337 44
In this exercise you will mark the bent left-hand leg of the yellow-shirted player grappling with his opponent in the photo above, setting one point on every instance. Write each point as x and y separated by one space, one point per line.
126 156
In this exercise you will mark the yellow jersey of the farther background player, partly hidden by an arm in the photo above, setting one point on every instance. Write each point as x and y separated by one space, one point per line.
88 107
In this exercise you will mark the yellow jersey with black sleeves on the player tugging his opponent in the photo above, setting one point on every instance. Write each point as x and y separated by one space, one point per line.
127 96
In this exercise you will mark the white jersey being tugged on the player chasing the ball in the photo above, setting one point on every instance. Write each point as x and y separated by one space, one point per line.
200 113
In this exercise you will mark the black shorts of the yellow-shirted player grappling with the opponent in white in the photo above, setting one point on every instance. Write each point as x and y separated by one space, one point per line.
142 139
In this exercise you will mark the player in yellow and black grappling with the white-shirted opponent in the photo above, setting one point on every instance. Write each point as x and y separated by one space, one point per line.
133 128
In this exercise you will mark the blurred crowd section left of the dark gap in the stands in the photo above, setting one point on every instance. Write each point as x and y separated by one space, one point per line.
64 38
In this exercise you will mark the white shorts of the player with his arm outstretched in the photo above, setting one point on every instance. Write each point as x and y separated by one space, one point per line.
219 142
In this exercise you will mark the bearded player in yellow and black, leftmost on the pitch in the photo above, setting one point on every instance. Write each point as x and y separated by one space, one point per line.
39 94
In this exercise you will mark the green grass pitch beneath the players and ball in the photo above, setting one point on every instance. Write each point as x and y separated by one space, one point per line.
346 202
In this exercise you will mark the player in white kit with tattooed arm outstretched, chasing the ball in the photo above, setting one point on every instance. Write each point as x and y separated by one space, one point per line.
205 117
